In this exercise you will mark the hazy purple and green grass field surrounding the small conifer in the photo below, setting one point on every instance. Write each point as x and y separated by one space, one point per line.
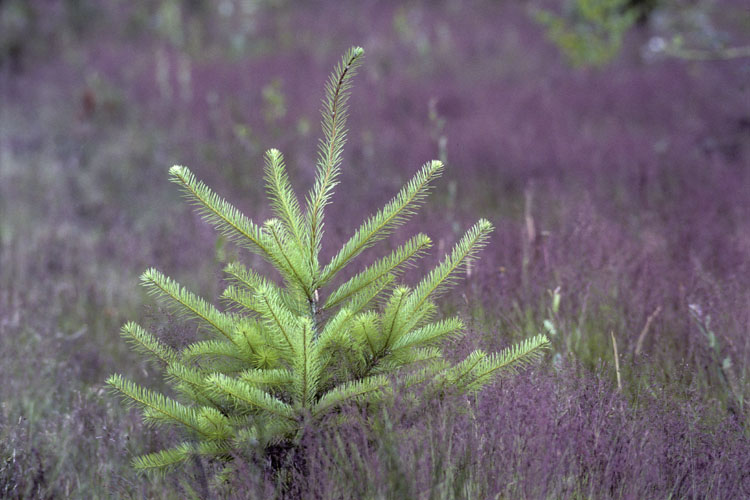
619 192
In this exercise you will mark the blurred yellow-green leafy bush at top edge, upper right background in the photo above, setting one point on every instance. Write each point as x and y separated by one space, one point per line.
590 32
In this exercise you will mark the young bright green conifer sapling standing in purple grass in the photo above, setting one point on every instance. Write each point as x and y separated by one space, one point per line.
283 356
